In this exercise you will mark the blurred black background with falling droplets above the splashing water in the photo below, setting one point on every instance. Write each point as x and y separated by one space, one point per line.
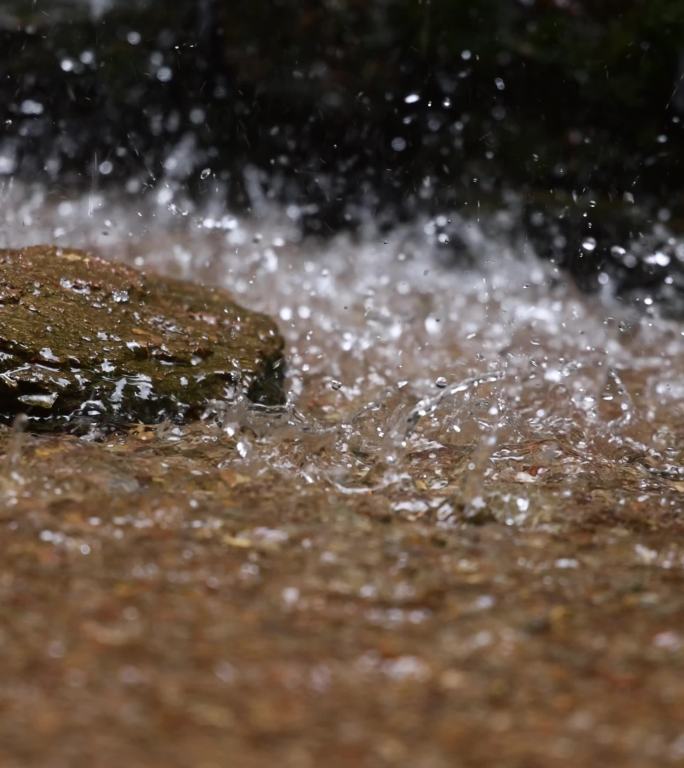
568 111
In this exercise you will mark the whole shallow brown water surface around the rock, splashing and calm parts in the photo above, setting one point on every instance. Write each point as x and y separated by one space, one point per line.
459 542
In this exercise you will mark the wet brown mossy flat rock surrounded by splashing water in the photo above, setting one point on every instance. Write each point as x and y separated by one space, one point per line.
83 340
